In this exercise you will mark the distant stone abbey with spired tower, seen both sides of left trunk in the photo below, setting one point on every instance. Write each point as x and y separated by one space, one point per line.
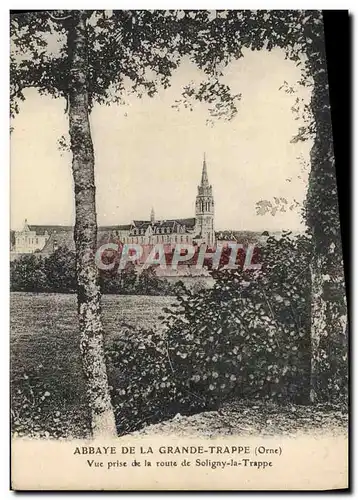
194 230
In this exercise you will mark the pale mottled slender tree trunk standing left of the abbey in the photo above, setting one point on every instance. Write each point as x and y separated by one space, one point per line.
88 292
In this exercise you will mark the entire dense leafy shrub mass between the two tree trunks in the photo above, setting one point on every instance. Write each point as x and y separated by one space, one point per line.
246 337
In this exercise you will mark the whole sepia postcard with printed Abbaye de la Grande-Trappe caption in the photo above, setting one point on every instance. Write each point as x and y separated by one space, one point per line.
176 263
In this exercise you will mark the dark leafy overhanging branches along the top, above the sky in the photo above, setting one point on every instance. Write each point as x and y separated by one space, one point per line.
138 50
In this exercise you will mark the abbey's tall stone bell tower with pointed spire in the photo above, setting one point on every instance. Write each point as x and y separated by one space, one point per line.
204 208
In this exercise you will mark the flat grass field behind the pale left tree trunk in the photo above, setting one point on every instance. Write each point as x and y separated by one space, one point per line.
45 359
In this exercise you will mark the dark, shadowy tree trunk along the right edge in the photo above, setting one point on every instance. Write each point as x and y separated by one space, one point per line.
328 303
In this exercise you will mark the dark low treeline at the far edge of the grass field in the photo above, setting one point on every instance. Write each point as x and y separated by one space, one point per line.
57 273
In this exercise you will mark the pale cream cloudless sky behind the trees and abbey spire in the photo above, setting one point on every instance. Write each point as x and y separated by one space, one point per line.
149 154
